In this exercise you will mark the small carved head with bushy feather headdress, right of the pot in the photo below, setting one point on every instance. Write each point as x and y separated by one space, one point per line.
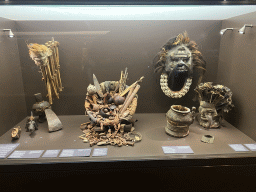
214 101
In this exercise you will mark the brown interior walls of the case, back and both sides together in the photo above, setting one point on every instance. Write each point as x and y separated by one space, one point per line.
107 47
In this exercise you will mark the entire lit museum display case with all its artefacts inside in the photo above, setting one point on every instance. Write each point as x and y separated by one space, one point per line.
127 87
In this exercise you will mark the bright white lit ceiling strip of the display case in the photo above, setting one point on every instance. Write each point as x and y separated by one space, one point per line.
186 12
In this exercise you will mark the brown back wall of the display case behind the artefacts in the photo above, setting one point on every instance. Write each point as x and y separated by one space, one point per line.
107 47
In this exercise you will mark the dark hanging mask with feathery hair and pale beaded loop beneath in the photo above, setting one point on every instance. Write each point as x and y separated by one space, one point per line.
176 61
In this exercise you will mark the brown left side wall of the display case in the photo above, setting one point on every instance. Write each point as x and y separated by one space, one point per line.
12 98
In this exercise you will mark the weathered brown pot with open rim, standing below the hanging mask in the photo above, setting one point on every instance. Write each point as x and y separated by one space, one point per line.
179 118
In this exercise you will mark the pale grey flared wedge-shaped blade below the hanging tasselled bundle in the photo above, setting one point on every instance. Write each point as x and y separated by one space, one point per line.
54 123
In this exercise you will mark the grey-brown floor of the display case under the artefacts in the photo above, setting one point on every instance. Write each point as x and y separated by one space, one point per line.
152 128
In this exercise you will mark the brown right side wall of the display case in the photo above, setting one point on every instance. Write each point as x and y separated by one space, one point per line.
237 71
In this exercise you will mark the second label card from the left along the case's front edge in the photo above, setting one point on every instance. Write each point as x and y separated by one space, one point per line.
25 154
